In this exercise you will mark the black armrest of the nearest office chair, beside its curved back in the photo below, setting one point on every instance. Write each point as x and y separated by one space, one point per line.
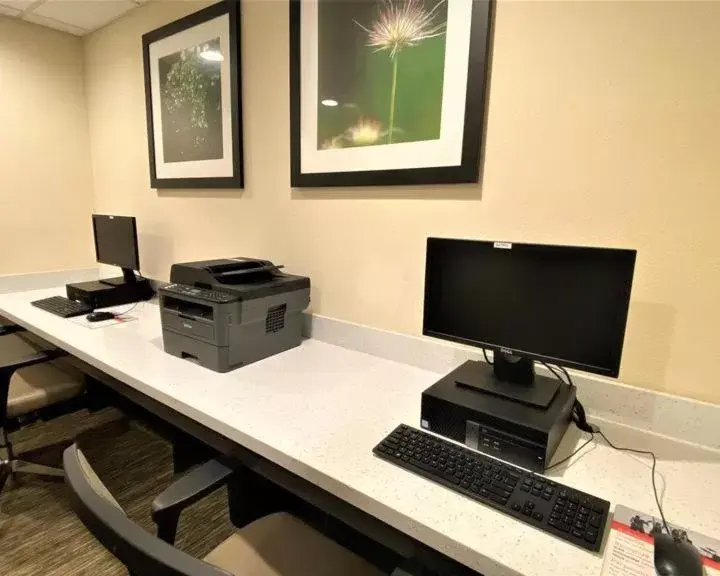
187 490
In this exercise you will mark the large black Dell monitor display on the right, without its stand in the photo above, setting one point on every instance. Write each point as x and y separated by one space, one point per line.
564 305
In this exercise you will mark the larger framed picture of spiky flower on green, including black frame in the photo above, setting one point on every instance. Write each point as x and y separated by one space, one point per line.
387 92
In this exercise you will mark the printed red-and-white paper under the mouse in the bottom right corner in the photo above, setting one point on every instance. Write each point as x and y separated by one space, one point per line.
630 550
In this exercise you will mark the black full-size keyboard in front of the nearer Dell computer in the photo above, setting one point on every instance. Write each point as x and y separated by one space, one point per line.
569 514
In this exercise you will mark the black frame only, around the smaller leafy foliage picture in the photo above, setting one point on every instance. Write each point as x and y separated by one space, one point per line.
236 180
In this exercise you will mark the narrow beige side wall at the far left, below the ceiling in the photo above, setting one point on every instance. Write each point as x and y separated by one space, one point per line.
45 179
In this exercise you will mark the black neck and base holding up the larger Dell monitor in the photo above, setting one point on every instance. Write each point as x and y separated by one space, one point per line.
510 377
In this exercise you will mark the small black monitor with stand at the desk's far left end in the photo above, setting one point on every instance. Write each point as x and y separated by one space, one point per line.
116 245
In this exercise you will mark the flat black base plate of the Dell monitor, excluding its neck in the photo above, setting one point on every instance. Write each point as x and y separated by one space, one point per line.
483 378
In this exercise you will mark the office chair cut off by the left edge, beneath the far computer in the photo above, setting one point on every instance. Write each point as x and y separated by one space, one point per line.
35 383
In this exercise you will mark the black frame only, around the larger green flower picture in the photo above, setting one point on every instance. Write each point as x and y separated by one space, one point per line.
474 120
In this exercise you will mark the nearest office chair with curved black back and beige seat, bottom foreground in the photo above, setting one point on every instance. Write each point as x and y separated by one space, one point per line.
276 545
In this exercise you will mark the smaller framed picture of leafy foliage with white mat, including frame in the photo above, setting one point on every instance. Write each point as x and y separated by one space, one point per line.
193 101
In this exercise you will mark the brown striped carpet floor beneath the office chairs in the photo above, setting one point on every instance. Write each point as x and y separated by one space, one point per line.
39 533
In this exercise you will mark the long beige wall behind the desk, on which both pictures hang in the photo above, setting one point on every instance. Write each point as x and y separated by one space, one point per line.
603 129
